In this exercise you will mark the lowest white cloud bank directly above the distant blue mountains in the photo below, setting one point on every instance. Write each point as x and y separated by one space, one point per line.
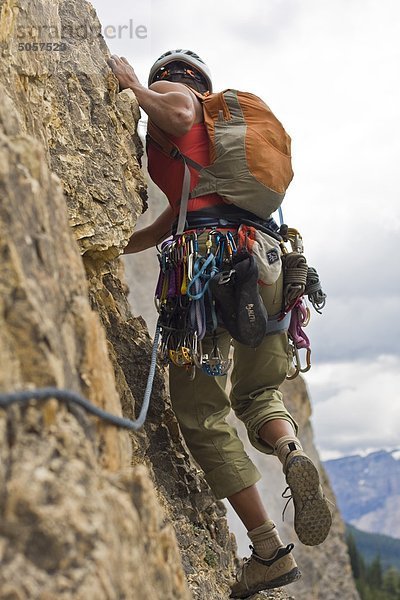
360 410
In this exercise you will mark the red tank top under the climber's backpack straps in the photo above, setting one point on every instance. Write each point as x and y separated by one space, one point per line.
167 172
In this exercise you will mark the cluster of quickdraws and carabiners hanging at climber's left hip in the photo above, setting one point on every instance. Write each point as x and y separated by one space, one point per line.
184 301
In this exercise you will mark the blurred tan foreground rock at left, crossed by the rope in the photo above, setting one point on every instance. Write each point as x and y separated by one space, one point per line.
76 520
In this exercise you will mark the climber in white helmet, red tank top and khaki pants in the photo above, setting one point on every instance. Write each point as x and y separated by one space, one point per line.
202 405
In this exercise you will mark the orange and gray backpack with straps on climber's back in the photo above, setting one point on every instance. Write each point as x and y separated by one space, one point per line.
249 153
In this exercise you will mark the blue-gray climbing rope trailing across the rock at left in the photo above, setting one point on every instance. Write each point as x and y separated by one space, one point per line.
24 396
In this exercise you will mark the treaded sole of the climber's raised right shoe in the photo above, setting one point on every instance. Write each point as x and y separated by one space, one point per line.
312 517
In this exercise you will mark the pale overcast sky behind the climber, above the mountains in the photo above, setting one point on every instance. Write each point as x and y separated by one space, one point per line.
329 69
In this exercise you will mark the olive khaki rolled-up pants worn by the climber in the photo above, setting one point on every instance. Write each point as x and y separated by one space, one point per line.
202 405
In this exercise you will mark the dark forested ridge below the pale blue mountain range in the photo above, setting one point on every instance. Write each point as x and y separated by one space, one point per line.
371 545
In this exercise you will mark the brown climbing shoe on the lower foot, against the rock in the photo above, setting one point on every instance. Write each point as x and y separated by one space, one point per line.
259 573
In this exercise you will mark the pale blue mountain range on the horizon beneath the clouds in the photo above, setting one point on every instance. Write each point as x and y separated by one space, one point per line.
368 490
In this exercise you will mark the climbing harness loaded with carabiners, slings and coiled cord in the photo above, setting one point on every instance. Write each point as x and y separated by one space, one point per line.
196 280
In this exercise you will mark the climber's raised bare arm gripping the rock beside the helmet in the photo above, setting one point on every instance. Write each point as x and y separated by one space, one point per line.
169 105
